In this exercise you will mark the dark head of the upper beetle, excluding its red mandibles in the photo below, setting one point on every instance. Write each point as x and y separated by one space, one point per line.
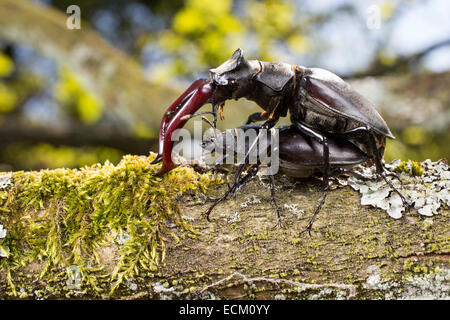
233 76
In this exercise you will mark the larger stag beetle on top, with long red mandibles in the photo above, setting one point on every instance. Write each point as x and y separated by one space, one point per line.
321 105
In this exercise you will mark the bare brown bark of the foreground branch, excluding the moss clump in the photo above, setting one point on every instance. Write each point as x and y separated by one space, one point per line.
353 252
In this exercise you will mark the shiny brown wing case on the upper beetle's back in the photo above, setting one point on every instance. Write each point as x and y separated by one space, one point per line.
339 97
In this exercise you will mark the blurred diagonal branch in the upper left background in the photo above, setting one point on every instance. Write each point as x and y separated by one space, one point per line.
106 71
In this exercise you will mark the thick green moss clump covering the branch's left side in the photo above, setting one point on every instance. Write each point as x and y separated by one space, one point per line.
62 218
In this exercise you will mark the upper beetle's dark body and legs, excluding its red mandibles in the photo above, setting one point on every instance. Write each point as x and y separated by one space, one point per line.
319 102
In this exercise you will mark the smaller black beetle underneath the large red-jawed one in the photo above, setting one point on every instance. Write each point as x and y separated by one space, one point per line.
300 156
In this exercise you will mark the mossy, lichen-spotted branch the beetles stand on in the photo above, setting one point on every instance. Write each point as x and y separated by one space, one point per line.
118 231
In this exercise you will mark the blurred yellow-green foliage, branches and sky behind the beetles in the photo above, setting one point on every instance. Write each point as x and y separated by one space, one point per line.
70 98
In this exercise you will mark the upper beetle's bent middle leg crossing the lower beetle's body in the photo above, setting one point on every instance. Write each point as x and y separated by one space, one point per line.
326 168
